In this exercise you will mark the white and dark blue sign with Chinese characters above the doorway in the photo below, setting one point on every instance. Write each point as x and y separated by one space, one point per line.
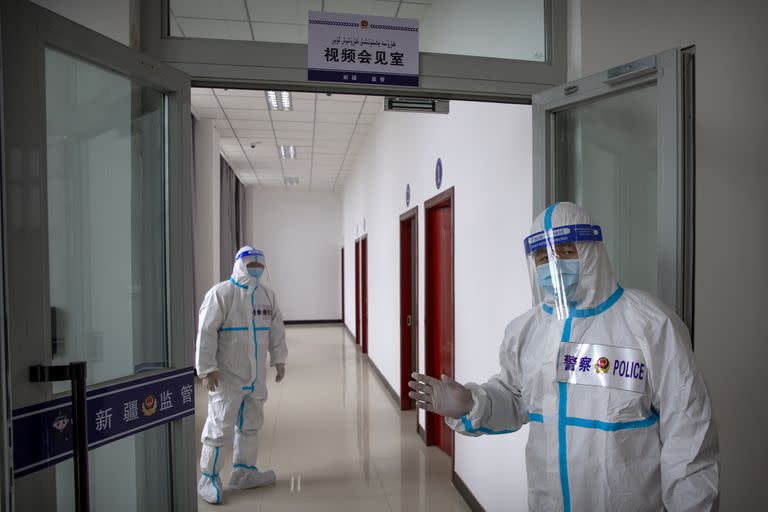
358 49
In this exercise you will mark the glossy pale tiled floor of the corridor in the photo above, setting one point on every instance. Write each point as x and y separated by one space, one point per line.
337 440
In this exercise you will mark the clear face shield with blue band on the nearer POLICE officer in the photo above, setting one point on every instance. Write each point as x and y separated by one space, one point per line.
554 267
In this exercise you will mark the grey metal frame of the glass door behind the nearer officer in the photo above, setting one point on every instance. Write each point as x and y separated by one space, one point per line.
665 71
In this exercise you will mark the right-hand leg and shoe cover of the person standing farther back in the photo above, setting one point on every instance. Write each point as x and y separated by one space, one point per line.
245 474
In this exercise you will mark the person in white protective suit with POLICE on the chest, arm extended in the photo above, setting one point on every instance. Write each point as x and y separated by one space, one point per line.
619 416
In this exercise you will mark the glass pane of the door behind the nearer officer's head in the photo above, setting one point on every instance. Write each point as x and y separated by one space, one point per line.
606 161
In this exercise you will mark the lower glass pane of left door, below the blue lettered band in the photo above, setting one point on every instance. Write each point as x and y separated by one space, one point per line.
127 475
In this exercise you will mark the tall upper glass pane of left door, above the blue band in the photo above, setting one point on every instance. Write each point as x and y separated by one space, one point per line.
106 218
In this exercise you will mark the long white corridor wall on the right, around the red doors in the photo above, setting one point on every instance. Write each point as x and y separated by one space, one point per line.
486 153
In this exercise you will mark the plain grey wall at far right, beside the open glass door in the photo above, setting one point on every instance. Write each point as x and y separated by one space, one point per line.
731 184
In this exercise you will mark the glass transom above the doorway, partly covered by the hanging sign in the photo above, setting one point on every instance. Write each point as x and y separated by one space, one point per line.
505 29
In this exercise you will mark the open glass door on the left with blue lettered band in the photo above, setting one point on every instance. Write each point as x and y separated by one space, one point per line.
96 241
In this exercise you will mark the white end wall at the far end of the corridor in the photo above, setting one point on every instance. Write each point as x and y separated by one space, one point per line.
300 234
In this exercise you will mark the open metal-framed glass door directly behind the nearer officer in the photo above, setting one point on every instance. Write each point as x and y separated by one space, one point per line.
614 143
